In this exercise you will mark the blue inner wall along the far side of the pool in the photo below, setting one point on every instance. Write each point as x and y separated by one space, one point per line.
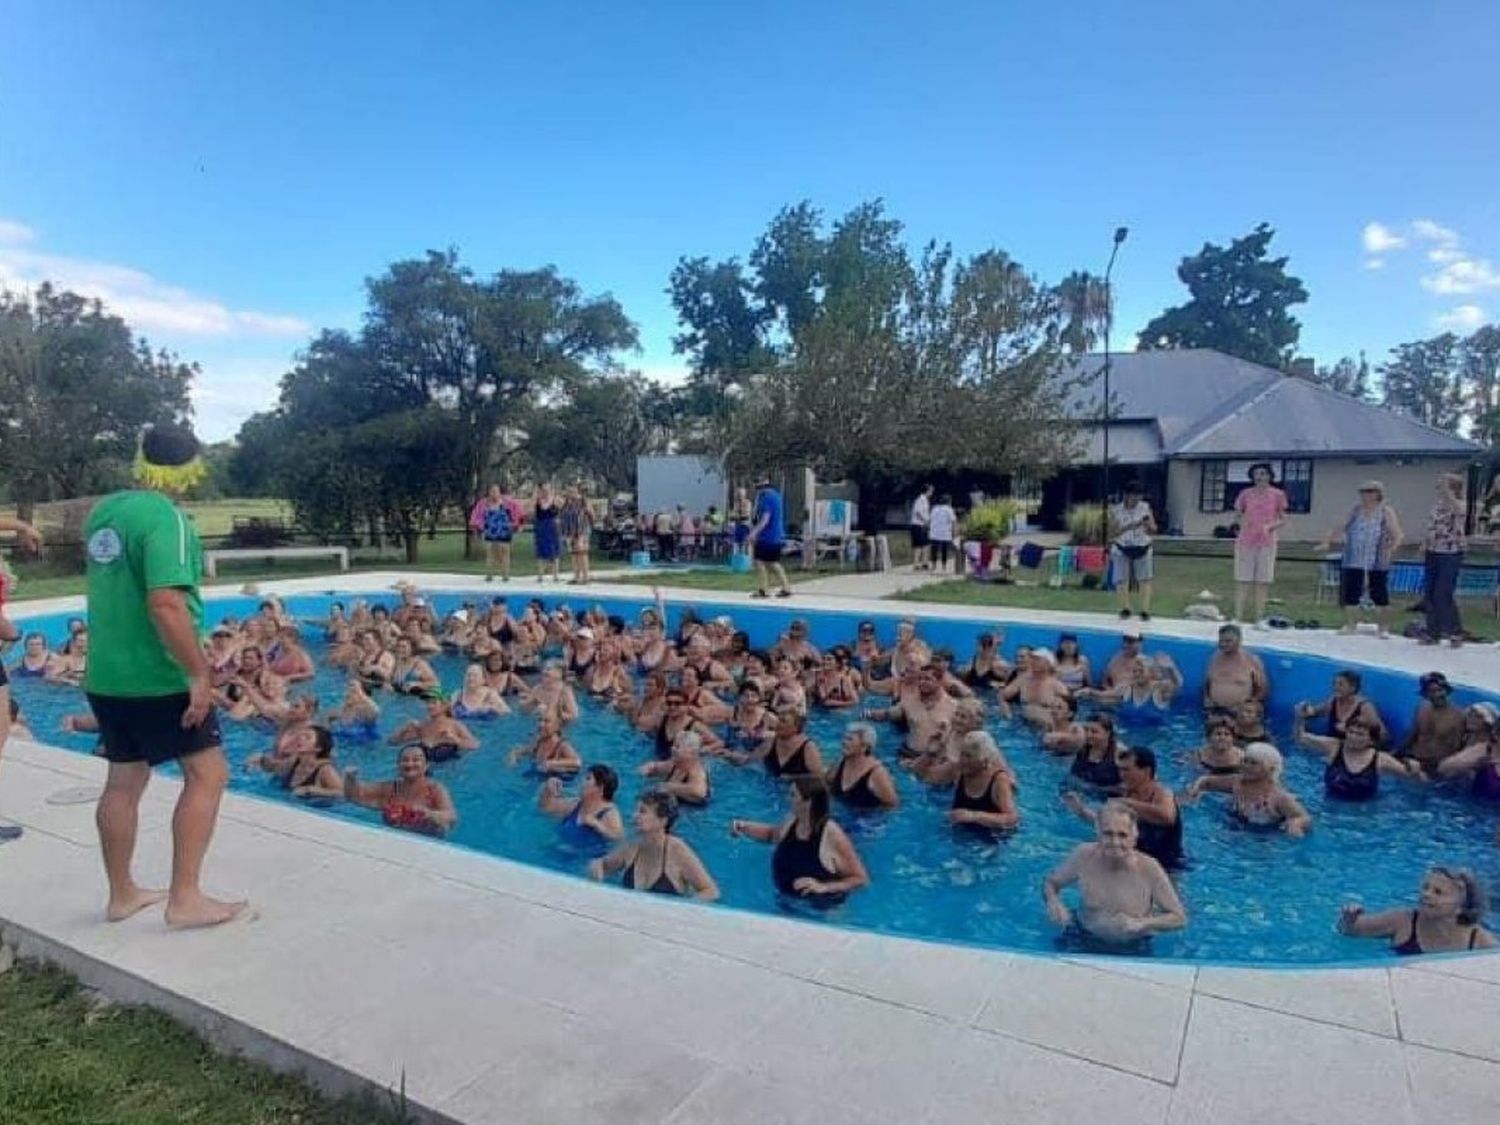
1294 676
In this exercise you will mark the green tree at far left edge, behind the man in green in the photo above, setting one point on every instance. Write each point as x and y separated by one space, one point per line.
76 391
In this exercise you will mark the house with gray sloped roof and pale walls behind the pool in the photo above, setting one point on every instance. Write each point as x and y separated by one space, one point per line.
1189 425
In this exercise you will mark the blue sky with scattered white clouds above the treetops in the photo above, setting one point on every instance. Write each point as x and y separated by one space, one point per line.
229 175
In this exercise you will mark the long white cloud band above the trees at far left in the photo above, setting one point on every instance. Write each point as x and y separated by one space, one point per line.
148 305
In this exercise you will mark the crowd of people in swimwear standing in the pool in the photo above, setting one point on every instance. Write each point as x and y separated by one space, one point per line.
703 697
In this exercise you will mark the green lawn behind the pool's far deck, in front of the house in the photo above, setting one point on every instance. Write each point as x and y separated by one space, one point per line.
1180 580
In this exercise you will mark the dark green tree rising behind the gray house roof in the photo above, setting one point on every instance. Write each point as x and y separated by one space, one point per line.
1240 304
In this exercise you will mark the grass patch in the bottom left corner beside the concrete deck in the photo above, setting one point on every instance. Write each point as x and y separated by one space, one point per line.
65 1061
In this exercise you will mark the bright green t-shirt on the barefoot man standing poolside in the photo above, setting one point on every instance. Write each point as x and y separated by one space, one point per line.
137 542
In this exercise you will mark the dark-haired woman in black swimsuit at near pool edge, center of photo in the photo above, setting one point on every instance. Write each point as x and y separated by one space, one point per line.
814 859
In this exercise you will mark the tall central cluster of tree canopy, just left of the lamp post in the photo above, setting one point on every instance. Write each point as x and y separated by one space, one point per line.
854 358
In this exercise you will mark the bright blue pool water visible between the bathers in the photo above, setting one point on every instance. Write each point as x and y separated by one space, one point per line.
1255 899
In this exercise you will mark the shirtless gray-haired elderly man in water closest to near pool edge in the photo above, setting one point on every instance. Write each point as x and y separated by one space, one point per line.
1126 895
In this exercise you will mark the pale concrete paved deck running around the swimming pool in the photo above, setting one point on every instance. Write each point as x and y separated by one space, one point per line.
509 994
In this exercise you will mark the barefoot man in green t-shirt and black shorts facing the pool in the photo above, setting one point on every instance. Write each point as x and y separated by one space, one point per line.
149 682
